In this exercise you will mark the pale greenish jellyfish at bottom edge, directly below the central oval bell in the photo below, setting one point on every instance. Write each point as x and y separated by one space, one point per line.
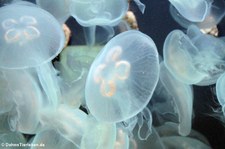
98 135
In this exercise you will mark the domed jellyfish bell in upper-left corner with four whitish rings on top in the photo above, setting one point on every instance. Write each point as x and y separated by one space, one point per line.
29 36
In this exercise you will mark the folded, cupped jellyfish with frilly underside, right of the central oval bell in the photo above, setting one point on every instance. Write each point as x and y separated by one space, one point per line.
194 58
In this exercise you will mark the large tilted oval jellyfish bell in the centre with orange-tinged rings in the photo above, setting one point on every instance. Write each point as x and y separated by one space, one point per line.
123 77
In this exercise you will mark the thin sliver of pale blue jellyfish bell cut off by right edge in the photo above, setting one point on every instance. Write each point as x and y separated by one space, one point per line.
220 86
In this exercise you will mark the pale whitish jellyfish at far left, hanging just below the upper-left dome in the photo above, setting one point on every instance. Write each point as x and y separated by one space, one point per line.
27 98
